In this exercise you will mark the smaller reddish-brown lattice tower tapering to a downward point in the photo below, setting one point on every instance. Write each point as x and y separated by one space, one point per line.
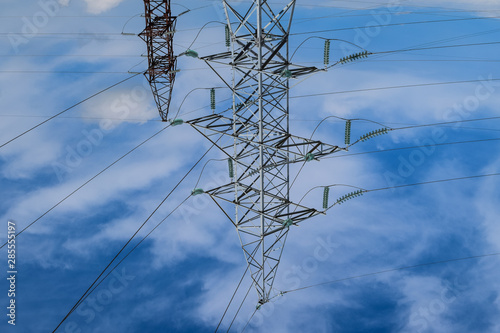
159 37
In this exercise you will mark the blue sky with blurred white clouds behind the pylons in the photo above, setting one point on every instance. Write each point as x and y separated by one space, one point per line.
56 54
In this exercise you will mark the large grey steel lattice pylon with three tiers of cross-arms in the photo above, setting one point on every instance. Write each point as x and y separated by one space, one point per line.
257 137
